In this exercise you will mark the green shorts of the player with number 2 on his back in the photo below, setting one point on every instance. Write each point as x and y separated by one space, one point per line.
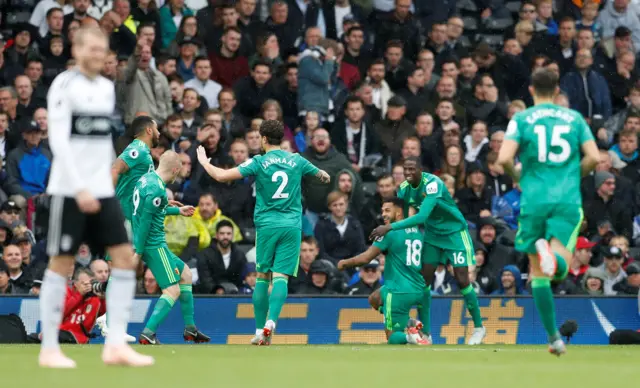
278 250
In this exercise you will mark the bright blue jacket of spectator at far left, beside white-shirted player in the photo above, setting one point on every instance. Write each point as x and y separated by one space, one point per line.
30 167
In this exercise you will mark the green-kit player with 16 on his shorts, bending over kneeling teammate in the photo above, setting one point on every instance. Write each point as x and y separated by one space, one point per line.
446 238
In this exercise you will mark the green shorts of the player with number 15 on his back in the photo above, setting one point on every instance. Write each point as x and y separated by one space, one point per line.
561 221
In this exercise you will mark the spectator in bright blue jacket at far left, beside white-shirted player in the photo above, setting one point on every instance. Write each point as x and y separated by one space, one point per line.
30 163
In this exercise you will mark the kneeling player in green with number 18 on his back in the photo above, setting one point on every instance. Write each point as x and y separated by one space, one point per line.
403 283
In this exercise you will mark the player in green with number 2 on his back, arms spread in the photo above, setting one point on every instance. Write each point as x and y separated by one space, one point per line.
278 220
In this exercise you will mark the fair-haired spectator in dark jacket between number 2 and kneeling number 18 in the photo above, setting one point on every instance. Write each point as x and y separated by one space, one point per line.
339 235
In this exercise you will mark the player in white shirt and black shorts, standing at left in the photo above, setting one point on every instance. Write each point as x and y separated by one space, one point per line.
83 204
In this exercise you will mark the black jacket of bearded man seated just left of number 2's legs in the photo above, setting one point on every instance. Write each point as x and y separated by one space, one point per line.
212 272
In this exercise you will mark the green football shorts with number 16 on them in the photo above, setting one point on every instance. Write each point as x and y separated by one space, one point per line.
455 248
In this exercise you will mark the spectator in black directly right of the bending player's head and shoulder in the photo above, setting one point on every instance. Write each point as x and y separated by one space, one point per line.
475 199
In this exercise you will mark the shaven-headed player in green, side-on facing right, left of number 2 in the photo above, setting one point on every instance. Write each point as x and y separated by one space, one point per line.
150 205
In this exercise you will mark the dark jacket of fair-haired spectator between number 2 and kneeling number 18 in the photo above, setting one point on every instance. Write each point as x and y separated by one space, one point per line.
336 247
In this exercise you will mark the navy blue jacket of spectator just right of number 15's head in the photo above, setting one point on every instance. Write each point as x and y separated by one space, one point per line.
598 91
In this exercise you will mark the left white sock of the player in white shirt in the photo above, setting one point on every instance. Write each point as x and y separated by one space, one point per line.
52 295
